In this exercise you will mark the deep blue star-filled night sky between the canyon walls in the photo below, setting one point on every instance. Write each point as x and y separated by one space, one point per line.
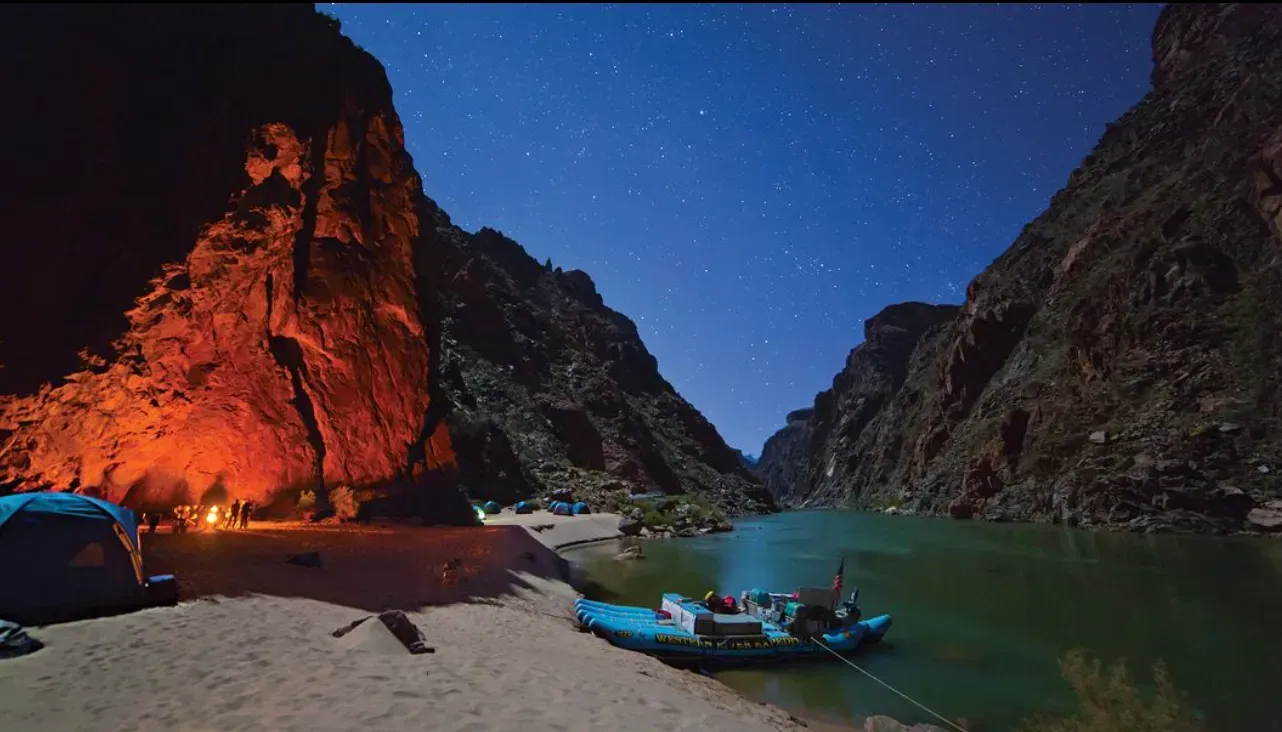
749 183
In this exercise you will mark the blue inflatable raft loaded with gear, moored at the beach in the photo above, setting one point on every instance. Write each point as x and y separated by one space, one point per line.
685 631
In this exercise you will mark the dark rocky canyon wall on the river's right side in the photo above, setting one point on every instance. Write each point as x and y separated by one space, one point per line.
1119 366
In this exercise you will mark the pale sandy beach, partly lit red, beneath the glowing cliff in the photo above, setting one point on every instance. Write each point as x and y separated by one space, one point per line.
251 645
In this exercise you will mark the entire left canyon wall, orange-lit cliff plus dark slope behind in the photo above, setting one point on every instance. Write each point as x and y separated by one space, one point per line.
225 280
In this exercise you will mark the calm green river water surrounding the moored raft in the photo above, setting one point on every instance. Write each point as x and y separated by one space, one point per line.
984 611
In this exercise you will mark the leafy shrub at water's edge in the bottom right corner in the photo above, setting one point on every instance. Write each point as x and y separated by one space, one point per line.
1111 703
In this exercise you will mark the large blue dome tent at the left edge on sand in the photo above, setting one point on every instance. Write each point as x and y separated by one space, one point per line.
67 557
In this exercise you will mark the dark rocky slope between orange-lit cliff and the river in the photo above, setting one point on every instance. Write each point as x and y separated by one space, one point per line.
553 390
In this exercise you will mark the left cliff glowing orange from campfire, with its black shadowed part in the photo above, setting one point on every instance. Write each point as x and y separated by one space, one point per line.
215 251
